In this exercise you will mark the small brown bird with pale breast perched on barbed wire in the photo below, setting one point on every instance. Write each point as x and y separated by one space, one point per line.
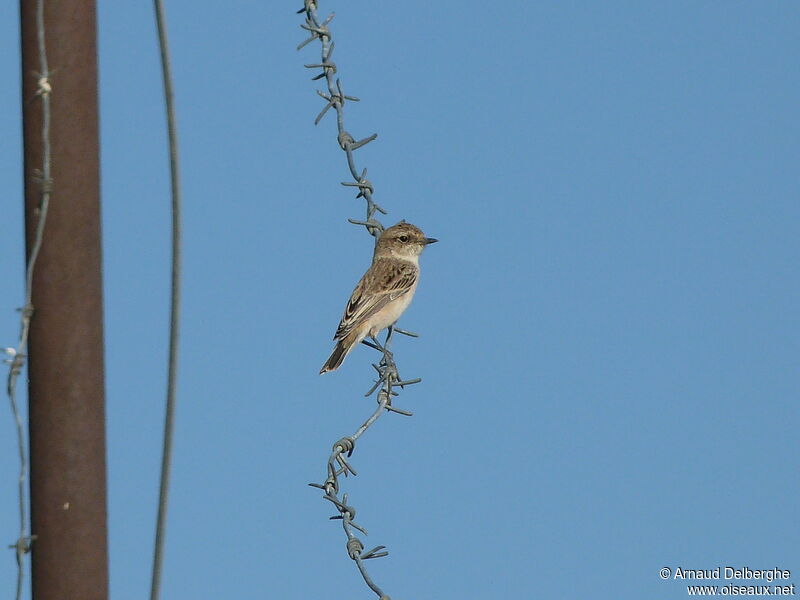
383 293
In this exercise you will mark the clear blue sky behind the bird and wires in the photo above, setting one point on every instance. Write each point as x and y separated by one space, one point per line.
609 324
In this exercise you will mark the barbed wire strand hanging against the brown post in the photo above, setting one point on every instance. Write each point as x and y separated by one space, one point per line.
18 354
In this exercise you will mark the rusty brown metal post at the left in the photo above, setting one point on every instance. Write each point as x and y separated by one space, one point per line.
65 366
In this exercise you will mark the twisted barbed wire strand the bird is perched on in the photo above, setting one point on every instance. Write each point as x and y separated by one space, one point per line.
388 377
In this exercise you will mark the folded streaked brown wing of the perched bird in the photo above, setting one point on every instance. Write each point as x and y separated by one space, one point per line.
386 280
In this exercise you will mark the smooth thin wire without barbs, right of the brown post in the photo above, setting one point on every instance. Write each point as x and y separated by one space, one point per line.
169 419
